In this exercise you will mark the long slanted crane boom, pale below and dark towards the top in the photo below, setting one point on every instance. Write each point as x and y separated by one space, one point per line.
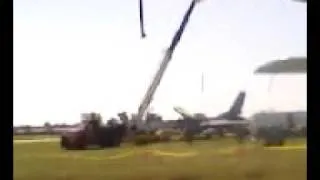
164 64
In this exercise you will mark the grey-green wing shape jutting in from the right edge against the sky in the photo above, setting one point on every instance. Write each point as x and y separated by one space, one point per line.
290 65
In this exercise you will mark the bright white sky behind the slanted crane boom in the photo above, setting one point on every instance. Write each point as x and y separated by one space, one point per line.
74 56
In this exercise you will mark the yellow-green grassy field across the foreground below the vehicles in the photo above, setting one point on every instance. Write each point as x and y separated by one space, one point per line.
218 159
